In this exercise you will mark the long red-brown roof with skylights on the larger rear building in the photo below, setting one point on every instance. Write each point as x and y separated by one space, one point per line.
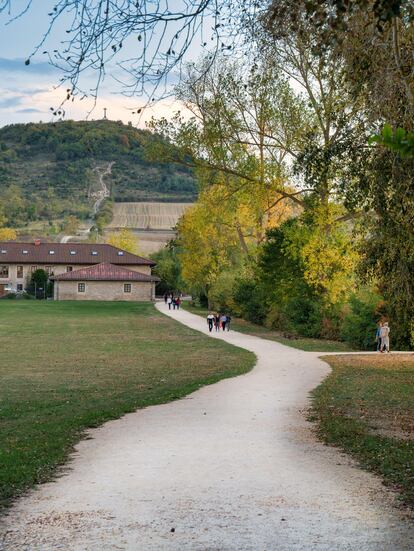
12 252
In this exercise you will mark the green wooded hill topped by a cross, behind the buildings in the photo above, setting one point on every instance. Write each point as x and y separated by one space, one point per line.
47 169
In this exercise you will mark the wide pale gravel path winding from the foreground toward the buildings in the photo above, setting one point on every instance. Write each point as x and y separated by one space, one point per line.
233 466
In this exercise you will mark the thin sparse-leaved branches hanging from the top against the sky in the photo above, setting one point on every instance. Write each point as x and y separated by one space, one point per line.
162 35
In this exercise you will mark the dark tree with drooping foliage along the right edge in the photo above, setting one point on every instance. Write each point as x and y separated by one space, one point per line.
375 51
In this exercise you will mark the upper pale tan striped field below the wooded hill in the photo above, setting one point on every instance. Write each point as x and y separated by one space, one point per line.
147 216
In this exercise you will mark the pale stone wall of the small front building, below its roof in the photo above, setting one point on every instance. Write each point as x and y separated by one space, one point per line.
104 290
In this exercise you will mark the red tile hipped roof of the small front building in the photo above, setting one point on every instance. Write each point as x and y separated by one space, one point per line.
104 272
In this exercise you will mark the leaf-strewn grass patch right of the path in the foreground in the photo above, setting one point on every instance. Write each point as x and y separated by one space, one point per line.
366 407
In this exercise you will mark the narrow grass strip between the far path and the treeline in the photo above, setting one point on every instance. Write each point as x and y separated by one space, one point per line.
302 343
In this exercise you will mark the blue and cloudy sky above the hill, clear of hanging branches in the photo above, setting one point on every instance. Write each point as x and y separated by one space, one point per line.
27 93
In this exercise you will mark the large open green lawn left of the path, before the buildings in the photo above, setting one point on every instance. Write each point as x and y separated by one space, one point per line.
67 366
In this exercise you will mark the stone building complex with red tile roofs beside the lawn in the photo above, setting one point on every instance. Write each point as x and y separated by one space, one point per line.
100 271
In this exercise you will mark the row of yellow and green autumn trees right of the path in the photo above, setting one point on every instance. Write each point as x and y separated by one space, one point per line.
304 220
